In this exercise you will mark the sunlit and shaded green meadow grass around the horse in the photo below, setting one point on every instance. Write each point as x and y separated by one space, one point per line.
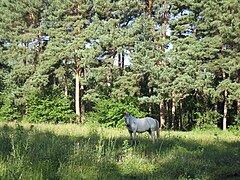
67 151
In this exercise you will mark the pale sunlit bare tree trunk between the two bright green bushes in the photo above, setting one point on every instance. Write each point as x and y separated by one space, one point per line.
77 94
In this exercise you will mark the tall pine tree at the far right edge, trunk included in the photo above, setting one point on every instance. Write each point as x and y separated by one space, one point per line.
221 20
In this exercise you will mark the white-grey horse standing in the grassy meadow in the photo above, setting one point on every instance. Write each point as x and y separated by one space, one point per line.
140 125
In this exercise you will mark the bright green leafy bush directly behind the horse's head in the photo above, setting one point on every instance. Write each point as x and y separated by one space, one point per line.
110 112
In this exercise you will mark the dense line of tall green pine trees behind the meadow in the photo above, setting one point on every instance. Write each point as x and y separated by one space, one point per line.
91 60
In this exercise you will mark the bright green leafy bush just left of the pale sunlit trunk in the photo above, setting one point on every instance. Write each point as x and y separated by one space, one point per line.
51 109
